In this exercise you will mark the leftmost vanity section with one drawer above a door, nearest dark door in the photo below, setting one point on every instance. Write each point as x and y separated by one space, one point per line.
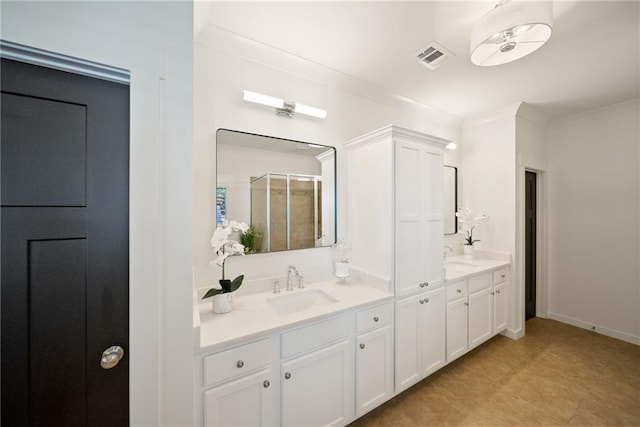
241 386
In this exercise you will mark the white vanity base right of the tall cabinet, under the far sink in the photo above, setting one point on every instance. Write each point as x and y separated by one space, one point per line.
476 311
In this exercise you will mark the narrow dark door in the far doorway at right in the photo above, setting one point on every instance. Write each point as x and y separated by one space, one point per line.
530 245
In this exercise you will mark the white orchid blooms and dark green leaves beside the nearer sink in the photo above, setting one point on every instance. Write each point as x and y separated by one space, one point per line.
224 247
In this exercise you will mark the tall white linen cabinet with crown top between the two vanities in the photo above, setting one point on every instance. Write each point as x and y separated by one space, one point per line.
396 232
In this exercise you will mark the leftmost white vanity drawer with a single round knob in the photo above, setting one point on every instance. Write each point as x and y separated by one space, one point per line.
237 361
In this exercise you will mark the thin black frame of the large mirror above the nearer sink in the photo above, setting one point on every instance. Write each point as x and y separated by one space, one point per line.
333 238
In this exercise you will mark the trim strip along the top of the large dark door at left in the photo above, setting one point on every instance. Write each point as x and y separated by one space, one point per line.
58 61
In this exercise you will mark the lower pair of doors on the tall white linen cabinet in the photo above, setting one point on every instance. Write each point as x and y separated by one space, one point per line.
420 337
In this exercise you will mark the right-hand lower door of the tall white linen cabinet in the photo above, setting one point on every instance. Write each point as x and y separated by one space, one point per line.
432 331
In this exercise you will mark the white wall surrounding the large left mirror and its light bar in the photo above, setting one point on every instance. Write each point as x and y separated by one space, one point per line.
225 64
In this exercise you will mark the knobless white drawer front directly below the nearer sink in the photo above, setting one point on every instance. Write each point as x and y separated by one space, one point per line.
314 336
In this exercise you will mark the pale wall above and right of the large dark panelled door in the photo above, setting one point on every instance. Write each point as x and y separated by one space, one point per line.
154 41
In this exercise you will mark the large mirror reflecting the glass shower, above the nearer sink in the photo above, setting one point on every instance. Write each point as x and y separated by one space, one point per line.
284 189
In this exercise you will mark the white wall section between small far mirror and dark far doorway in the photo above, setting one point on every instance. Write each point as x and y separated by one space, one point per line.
488 186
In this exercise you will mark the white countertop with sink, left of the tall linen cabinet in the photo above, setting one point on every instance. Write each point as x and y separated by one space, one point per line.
253 315
